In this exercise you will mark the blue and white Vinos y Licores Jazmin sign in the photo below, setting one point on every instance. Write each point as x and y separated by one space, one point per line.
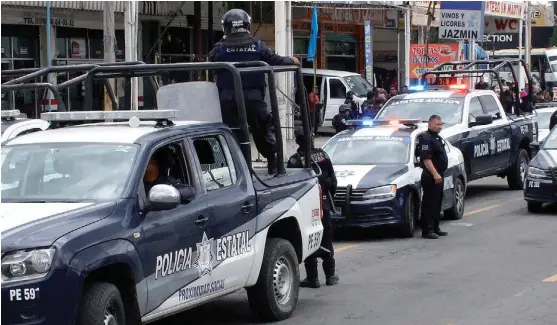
461 20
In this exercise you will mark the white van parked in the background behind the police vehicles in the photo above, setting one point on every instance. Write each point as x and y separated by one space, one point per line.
333 86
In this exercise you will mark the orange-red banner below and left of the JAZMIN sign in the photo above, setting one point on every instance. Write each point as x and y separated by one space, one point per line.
438 54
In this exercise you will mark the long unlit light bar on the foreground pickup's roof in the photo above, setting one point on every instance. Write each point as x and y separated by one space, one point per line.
151 115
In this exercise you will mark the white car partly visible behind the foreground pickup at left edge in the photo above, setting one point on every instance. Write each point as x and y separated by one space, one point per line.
13 124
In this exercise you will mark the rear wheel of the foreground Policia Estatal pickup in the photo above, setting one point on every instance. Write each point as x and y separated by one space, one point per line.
275 295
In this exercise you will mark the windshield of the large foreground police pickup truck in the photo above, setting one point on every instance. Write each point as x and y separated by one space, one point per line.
54 172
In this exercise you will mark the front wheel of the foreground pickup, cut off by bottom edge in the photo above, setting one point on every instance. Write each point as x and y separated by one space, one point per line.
101 305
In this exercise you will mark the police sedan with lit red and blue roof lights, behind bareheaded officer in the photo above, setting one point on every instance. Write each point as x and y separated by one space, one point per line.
379 178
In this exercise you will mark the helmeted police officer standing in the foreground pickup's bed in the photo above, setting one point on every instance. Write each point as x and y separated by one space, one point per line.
238 45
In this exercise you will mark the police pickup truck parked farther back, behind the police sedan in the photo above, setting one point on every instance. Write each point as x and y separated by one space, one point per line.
474 121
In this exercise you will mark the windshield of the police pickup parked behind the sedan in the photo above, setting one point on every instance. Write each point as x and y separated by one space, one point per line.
450 110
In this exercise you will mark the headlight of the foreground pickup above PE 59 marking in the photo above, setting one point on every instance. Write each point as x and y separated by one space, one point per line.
27 265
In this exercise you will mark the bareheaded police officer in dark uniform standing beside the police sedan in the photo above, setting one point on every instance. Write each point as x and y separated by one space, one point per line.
434 161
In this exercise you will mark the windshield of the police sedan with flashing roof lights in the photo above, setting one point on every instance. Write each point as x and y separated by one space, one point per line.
368 150
